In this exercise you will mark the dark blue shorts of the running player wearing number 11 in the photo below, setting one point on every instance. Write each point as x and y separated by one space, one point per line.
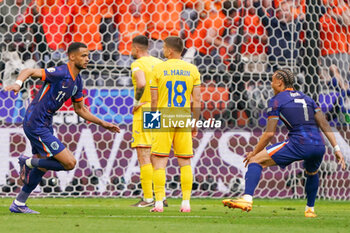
43 142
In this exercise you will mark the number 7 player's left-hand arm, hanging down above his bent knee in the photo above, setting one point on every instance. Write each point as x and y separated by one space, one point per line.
264 139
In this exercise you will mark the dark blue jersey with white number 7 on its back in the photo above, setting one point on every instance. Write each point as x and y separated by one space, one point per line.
297 112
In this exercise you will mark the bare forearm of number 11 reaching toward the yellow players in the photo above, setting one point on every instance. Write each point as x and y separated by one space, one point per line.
82 111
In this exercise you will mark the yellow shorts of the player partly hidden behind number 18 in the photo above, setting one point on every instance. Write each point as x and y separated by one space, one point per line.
139 137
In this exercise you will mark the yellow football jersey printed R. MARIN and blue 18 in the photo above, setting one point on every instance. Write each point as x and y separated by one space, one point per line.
174 79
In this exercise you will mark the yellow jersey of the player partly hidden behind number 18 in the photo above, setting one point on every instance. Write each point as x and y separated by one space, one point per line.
145 64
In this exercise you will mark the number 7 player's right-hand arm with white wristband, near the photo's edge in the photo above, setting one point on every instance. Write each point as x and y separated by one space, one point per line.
326 129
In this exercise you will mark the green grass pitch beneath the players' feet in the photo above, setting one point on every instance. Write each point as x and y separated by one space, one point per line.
99 215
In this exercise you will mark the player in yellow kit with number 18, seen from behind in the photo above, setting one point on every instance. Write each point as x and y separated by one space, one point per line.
174 83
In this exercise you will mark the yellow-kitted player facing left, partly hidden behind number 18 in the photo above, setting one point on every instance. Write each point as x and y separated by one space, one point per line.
141 76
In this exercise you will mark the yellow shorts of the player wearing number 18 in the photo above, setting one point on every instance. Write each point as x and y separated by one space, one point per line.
179 137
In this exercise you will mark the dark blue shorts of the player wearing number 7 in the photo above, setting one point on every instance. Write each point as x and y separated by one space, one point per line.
284 153
